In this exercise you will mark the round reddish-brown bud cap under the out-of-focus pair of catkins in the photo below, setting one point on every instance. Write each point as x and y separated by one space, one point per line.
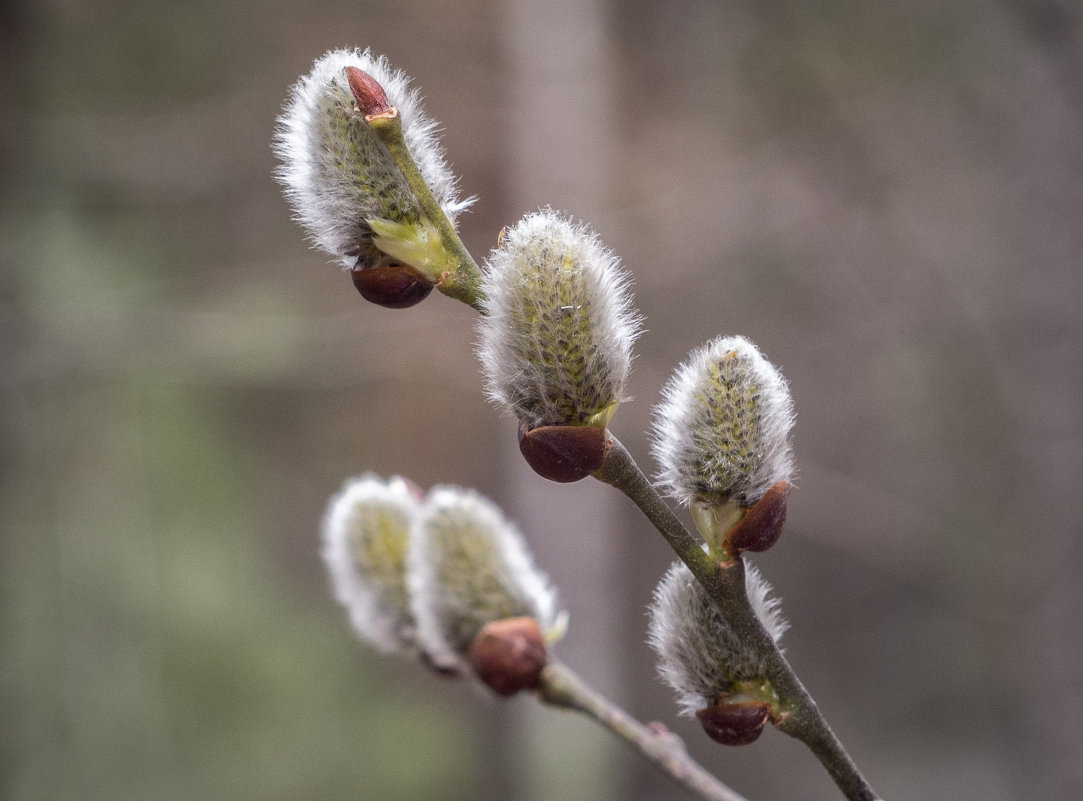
508 655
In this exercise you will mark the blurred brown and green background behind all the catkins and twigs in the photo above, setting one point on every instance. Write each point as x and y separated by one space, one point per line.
888 199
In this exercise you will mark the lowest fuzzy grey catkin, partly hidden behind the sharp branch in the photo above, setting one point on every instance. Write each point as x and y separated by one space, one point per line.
700 658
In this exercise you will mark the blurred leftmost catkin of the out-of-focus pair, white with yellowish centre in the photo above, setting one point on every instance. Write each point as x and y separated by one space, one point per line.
366 534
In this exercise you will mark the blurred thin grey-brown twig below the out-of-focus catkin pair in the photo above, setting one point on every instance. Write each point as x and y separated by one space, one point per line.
562 688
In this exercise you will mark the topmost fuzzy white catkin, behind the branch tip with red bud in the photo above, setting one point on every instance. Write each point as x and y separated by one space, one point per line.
336 173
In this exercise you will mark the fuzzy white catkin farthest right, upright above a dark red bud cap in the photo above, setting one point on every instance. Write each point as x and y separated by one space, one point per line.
722 431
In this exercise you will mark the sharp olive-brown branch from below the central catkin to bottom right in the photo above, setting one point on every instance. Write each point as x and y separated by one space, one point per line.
725 584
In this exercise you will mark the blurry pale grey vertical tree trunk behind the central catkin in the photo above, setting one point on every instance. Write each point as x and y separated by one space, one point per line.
556 153
